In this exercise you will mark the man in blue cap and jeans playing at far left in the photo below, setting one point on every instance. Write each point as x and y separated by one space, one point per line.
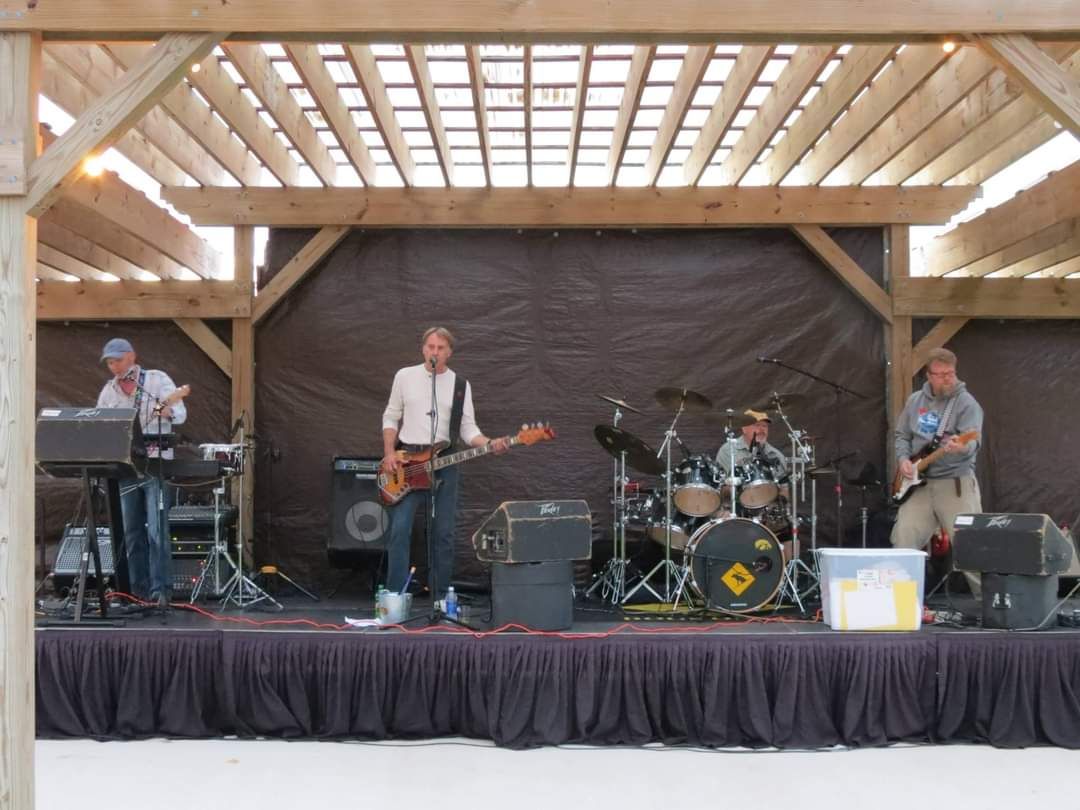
145 501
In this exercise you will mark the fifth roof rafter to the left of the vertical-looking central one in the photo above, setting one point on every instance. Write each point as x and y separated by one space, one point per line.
267 85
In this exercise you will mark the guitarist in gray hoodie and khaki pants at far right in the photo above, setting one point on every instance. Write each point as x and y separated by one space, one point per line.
937 441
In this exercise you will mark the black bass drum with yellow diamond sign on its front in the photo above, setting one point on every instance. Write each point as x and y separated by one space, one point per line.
735 564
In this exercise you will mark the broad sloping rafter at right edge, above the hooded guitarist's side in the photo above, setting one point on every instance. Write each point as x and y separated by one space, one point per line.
1052 201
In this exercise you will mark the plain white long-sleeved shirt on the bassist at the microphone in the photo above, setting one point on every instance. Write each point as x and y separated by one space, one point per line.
410 406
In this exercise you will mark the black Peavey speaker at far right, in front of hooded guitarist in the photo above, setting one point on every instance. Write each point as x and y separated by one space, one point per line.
1010 544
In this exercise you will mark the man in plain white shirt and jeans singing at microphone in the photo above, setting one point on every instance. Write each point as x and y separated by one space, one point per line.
407 423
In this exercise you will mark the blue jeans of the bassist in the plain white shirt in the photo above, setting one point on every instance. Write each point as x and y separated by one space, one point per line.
401 532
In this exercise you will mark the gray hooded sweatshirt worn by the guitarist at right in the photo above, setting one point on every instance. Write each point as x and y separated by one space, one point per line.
919 424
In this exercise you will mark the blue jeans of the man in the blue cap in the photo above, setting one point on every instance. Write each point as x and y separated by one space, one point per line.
146 538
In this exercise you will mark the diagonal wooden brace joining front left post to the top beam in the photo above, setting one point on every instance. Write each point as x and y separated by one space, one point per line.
113 115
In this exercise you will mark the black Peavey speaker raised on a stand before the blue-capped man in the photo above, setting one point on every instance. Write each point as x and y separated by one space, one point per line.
105 442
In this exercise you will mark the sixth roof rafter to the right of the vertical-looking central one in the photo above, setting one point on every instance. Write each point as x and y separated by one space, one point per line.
856 72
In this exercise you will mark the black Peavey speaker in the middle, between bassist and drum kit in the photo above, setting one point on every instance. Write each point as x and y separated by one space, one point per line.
536 532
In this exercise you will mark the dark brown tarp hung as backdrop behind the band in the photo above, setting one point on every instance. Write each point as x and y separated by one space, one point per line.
545 322
